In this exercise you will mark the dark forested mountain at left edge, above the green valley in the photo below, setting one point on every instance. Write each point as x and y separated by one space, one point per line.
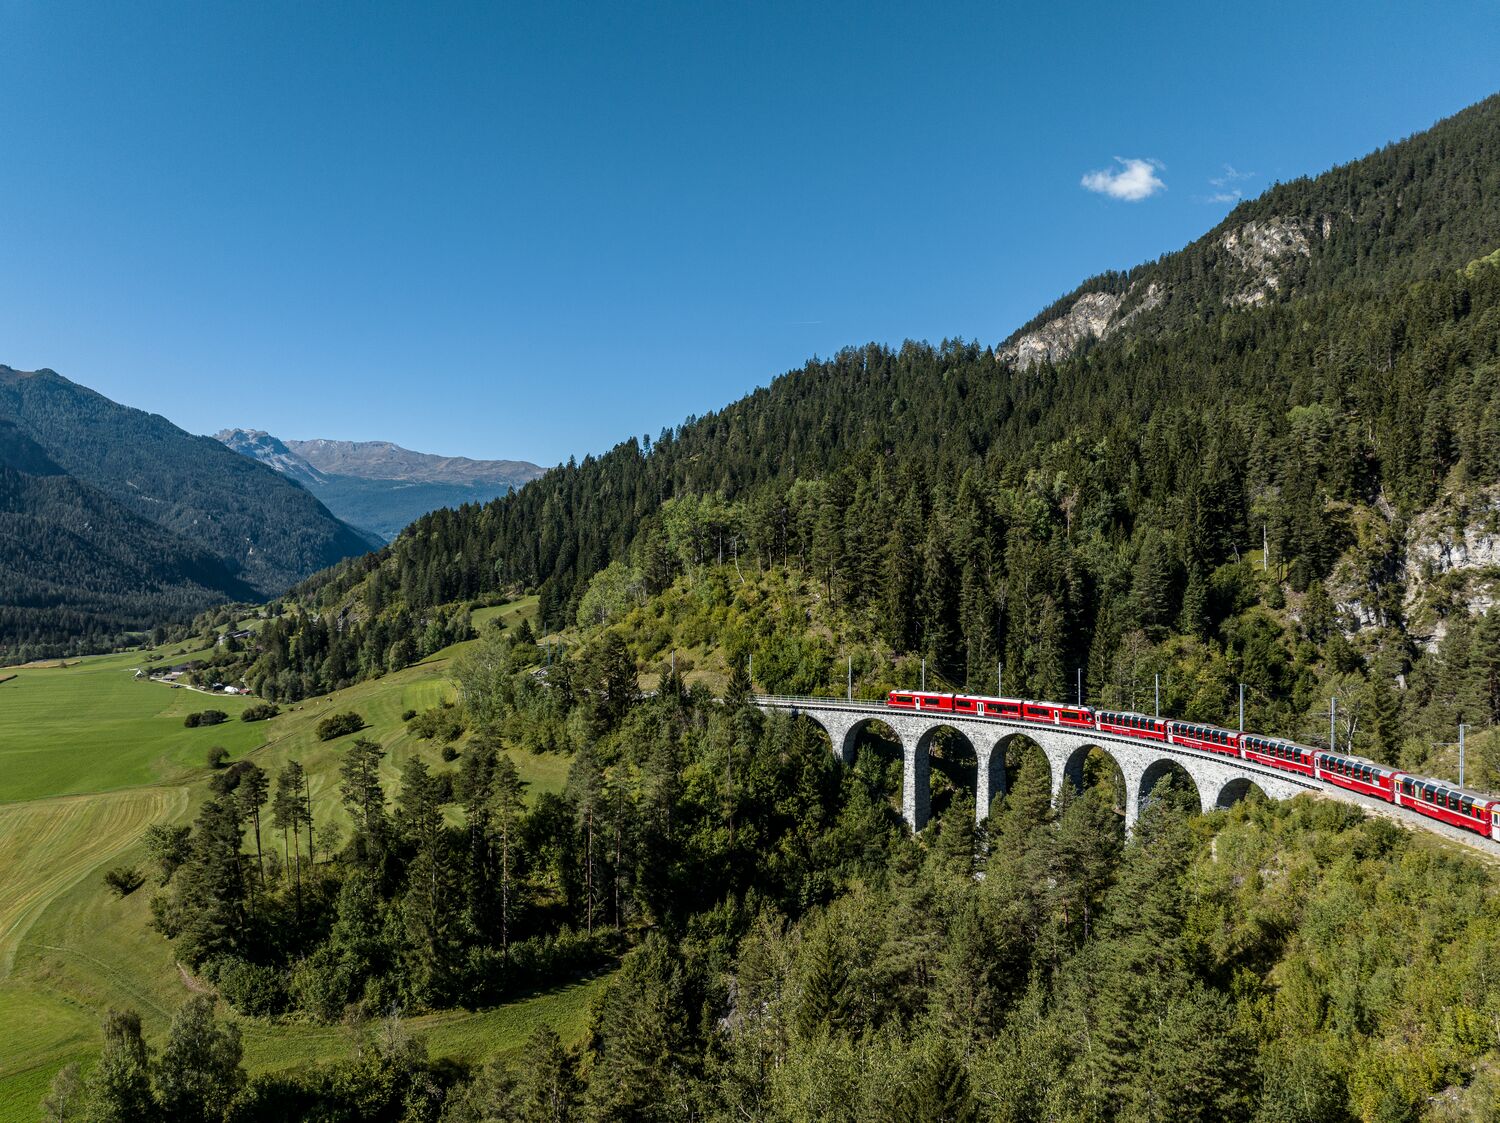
113 520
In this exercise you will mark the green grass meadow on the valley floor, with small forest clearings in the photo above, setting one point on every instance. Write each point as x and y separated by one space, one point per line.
89 759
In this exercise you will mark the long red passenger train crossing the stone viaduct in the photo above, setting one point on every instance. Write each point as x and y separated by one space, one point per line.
1433 798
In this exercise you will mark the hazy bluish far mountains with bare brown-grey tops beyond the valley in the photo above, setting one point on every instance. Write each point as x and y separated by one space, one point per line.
377 485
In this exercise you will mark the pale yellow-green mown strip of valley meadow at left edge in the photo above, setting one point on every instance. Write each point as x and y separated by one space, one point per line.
47 846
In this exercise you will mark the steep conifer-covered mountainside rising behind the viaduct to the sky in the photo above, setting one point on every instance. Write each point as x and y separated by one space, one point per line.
985 511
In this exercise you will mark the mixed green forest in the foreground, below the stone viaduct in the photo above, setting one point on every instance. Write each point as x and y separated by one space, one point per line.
790 953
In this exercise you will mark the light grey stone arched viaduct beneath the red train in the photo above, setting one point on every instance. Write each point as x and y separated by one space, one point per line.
1220 780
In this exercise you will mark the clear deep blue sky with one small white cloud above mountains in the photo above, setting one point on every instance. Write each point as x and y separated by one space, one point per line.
532 232
